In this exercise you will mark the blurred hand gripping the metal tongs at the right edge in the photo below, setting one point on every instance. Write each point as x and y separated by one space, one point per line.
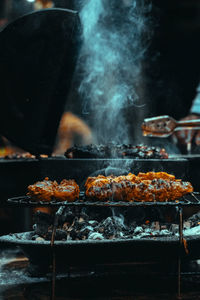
185 137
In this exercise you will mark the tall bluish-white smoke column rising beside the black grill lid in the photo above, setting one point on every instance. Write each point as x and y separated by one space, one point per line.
111 58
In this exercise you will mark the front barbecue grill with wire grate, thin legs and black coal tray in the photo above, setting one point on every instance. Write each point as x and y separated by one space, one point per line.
107 251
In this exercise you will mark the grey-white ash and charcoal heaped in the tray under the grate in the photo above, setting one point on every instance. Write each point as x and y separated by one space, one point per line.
90 225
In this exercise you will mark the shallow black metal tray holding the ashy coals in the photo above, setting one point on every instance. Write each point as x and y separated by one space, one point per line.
105 251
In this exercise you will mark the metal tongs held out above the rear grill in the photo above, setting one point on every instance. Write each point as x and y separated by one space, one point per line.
164 126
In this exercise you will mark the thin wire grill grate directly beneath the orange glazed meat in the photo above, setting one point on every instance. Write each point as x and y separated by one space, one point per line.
192 199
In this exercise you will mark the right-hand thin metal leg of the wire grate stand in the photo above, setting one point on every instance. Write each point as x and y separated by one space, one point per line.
179 257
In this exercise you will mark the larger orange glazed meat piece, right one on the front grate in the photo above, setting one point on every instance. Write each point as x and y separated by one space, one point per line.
149 187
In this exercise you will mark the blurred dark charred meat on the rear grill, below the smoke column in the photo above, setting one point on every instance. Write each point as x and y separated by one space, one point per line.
115 150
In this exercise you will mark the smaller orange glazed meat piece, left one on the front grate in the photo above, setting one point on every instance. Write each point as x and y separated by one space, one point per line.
47 190
